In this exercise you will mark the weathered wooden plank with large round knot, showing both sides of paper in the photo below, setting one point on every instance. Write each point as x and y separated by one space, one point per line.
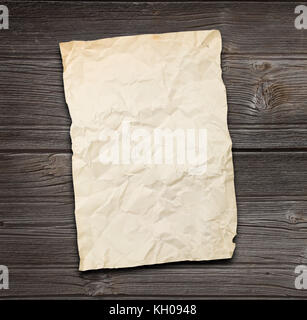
260 90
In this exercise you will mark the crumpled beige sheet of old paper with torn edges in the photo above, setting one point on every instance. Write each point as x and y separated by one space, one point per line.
142 198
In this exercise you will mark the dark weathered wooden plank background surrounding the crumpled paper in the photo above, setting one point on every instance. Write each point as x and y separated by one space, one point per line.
265 72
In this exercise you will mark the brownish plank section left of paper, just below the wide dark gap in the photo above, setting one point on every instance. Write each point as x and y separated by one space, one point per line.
35 175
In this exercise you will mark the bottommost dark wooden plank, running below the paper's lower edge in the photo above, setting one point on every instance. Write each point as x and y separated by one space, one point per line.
206 281
